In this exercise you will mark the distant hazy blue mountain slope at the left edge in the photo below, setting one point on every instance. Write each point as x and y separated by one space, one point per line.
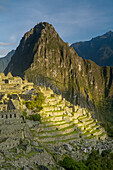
5 60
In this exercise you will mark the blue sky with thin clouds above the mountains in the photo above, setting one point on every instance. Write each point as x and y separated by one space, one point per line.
74 20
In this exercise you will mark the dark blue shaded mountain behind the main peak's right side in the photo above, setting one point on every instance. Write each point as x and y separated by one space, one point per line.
99 49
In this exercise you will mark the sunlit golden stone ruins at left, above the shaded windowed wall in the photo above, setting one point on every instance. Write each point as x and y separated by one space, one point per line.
12 90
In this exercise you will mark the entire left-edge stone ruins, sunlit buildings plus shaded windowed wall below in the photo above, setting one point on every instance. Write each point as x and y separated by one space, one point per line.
12 126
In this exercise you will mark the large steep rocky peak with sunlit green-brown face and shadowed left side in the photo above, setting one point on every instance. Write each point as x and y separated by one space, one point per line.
43 57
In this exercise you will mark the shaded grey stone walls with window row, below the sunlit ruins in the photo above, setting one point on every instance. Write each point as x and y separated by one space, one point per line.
11 129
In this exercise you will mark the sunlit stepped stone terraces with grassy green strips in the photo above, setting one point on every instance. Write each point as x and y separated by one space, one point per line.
62 122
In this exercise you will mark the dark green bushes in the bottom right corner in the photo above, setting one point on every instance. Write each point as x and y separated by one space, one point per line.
95 161
